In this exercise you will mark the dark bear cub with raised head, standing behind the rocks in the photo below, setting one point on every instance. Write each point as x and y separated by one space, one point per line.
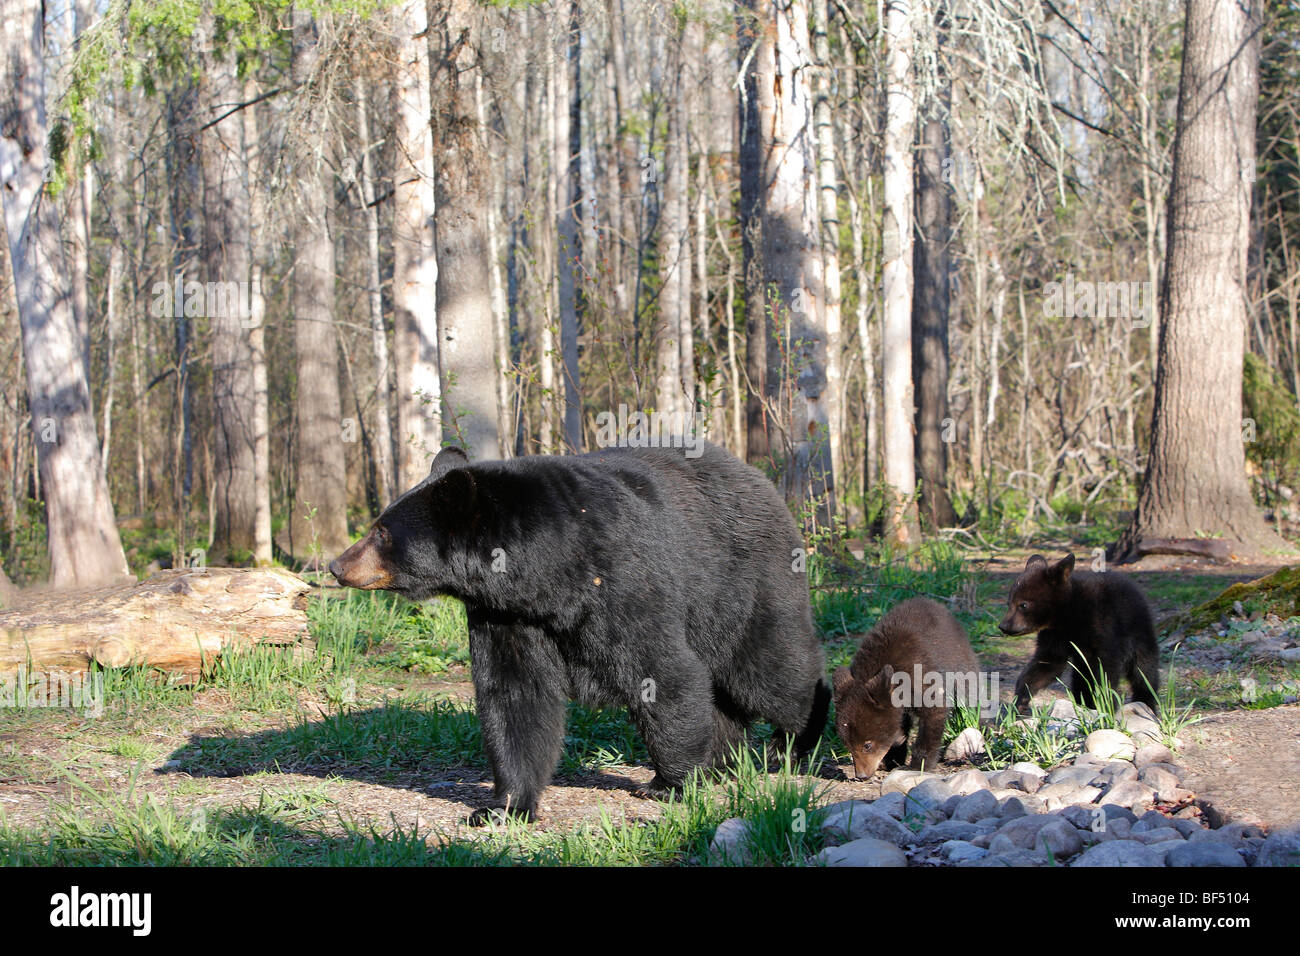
1095 624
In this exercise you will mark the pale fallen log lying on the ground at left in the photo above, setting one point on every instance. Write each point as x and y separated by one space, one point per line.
177 621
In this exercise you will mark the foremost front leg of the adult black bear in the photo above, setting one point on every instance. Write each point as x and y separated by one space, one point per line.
522 697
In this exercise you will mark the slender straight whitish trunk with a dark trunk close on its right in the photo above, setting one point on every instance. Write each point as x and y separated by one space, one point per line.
898 239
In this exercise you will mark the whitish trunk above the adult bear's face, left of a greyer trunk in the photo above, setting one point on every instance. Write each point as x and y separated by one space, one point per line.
415 266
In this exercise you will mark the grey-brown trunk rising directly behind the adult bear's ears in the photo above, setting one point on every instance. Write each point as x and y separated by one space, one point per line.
461 232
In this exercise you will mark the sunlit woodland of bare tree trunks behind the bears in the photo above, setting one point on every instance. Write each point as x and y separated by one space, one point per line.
948 267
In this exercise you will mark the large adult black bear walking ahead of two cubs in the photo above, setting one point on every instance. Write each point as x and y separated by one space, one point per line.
642 578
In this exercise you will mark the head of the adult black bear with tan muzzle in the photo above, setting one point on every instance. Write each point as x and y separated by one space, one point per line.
411 547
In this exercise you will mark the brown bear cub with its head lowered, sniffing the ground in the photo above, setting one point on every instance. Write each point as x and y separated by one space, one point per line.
878 697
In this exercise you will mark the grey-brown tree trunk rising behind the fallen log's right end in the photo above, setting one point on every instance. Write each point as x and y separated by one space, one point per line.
318 525
